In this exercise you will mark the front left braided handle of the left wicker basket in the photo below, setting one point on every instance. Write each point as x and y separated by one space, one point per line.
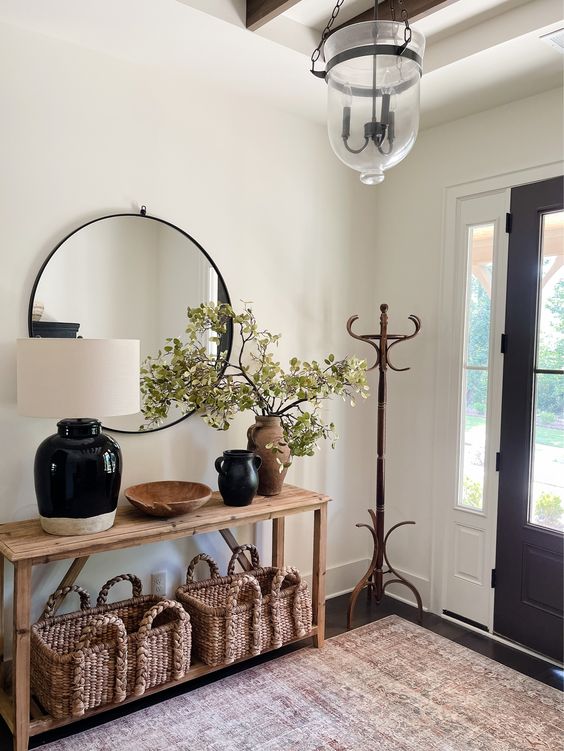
79 679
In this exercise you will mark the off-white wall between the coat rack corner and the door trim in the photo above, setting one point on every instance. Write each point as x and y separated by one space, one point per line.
410 220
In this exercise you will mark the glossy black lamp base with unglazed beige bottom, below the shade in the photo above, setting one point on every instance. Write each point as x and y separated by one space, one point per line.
77 479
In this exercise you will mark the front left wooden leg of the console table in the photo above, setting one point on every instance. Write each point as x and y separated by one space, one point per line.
21 647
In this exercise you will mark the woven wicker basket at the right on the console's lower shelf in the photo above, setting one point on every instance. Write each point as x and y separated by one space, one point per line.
238 615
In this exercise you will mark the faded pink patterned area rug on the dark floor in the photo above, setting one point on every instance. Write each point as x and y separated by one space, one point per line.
389 686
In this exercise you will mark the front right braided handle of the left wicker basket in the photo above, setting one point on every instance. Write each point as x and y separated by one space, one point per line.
179 664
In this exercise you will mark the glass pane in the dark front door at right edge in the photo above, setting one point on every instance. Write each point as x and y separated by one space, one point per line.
546 506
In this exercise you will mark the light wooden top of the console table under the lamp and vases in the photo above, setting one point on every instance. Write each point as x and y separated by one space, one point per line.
25 540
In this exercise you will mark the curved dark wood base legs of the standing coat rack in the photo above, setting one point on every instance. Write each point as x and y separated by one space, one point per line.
380 566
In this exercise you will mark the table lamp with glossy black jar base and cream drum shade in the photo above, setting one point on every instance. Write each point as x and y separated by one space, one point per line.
78 470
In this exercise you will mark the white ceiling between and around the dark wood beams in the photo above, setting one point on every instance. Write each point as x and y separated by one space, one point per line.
480 53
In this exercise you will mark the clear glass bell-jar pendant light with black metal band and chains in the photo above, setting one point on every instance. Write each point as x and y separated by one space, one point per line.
373 71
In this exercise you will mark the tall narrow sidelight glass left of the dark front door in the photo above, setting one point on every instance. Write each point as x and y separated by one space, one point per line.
476 360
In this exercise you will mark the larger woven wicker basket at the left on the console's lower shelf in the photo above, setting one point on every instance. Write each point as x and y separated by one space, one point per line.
102 655
